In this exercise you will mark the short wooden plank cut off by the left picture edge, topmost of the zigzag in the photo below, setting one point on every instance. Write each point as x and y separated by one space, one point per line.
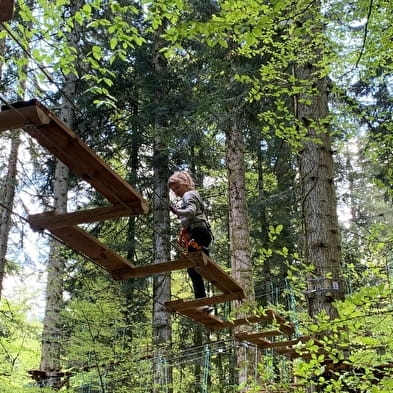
24 114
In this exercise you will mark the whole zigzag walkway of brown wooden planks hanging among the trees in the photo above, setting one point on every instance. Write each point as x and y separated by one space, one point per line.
123 200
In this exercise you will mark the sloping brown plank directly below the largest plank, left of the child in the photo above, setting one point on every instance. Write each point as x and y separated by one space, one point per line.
89 246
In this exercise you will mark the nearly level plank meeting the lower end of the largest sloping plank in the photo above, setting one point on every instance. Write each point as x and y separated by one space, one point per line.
50 220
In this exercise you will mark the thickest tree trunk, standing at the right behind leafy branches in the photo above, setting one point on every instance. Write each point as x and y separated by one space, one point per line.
321 233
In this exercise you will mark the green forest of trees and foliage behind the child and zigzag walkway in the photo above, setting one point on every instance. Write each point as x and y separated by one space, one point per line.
237 93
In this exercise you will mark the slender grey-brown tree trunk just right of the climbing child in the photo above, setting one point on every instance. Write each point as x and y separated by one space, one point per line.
238 226
